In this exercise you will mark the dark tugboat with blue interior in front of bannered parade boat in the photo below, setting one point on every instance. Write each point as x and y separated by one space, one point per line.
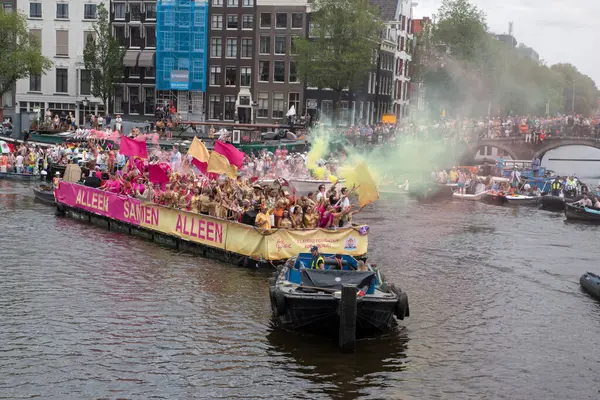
312 300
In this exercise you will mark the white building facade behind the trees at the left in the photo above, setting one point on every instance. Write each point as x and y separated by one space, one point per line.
62 27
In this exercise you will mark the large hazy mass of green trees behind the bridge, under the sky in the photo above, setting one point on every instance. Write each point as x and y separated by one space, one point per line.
466 69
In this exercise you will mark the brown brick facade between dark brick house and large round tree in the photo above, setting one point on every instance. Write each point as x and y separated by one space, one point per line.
276 83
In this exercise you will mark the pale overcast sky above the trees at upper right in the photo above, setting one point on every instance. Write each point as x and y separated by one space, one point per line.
559 30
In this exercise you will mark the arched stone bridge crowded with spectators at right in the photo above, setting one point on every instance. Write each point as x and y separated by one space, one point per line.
517 149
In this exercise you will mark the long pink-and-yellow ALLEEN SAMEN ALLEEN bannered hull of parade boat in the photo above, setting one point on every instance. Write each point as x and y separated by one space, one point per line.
204 235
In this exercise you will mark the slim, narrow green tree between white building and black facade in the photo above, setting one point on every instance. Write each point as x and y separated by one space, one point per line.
103 58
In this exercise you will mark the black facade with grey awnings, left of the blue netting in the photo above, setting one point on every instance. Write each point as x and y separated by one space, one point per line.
134 26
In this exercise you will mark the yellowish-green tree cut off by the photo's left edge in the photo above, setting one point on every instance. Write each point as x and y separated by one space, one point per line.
20 54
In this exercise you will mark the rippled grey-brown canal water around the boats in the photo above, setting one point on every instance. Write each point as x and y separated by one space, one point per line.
496 313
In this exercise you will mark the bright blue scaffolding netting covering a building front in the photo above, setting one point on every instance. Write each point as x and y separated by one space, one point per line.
181 45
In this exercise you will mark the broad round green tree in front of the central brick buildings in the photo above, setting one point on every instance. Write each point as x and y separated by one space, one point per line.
344 36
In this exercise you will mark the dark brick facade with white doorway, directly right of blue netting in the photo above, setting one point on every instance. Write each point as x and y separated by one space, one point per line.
232 48
